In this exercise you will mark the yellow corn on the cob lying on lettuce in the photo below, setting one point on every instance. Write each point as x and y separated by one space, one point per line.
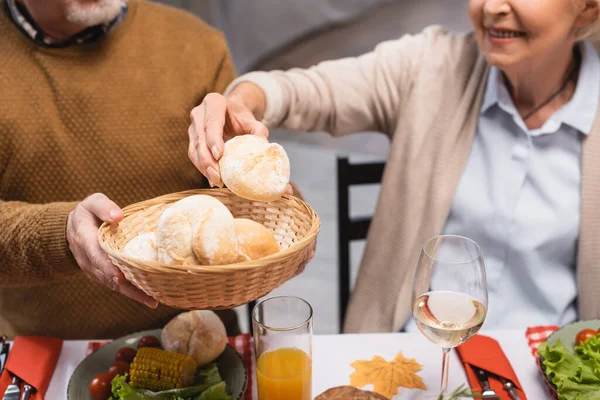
156 369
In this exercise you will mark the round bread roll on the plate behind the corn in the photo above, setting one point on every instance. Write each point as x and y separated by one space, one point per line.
199 334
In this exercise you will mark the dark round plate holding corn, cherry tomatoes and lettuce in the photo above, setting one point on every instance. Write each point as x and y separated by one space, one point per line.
136 367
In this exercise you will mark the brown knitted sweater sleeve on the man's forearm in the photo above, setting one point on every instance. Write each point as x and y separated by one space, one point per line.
33 243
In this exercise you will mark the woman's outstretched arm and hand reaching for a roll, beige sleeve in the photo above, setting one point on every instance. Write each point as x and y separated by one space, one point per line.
364 93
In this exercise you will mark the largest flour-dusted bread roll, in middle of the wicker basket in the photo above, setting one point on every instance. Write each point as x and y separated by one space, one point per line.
197 229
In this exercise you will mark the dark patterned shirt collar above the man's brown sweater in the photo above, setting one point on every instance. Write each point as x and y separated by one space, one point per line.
92 34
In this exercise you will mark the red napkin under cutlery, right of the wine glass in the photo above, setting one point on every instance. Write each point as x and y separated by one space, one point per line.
485 353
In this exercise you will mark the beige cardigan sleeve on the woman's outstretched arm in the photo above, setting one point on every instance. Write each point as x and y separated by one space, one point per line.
348 95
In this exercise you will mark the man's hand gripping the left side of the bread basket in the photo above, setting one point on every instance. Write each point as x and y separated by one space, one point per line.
82 234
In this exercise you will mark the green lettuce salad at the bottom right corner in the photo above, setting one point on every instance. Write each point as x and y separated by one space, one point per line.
576 376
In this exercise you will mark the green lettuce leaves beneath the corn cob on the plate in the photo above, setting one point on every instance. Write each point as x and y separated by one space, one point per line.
208 386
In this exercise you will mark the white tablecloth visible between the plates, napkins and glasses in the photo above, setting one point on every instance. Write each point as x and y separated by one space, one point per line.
333 354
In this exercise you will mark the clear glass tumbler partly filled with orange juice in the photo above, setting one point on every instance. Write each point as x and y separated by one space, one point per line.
283 347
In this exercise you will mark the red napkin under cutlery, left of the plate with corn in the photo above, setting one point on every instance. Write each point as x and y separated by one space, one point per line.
33 359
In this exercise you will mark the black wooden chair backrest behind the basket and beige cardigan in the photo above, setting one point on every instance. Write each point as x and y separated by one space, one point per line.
350 229
